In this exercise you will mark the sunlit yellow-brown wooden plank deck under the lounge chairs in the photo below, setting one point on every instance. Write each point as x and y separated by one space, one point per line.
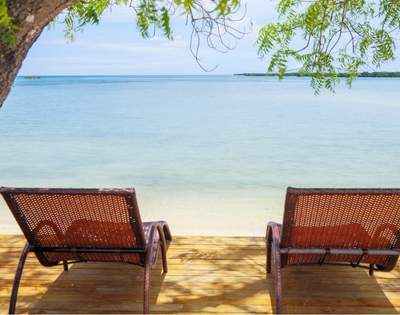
207 275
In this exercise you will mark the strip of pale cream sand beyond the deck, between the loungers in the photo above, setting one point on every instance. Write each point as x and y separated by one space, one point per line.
239 213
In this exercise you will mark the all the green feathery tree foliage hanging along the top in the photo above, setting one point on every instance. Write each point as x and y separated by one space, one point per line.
332 36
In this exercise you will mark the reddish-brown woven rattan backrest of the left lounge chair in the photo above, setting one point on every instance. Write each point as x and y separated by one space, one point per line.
100 218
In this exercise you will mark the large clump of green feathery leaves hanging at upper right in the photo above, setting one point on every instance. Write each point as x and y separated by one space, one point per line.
336 35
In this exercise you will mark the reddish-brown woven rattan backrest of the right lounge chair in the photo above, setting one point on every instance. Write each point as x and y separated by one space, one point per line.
341 218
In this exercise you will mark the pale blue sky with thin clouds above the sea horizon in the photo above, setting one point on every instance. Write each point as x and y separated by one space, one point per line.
115 47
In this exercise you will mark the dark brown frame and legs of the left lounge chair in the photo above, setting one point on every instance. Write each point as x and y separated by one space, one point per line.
146 248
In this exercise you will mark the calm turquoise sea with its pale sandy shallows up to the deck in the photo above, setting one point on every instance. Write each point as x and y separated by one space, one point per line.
210 154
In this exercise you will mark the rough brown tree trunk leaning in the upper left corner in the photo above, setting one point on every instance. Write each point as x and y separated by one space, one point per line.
31 16
